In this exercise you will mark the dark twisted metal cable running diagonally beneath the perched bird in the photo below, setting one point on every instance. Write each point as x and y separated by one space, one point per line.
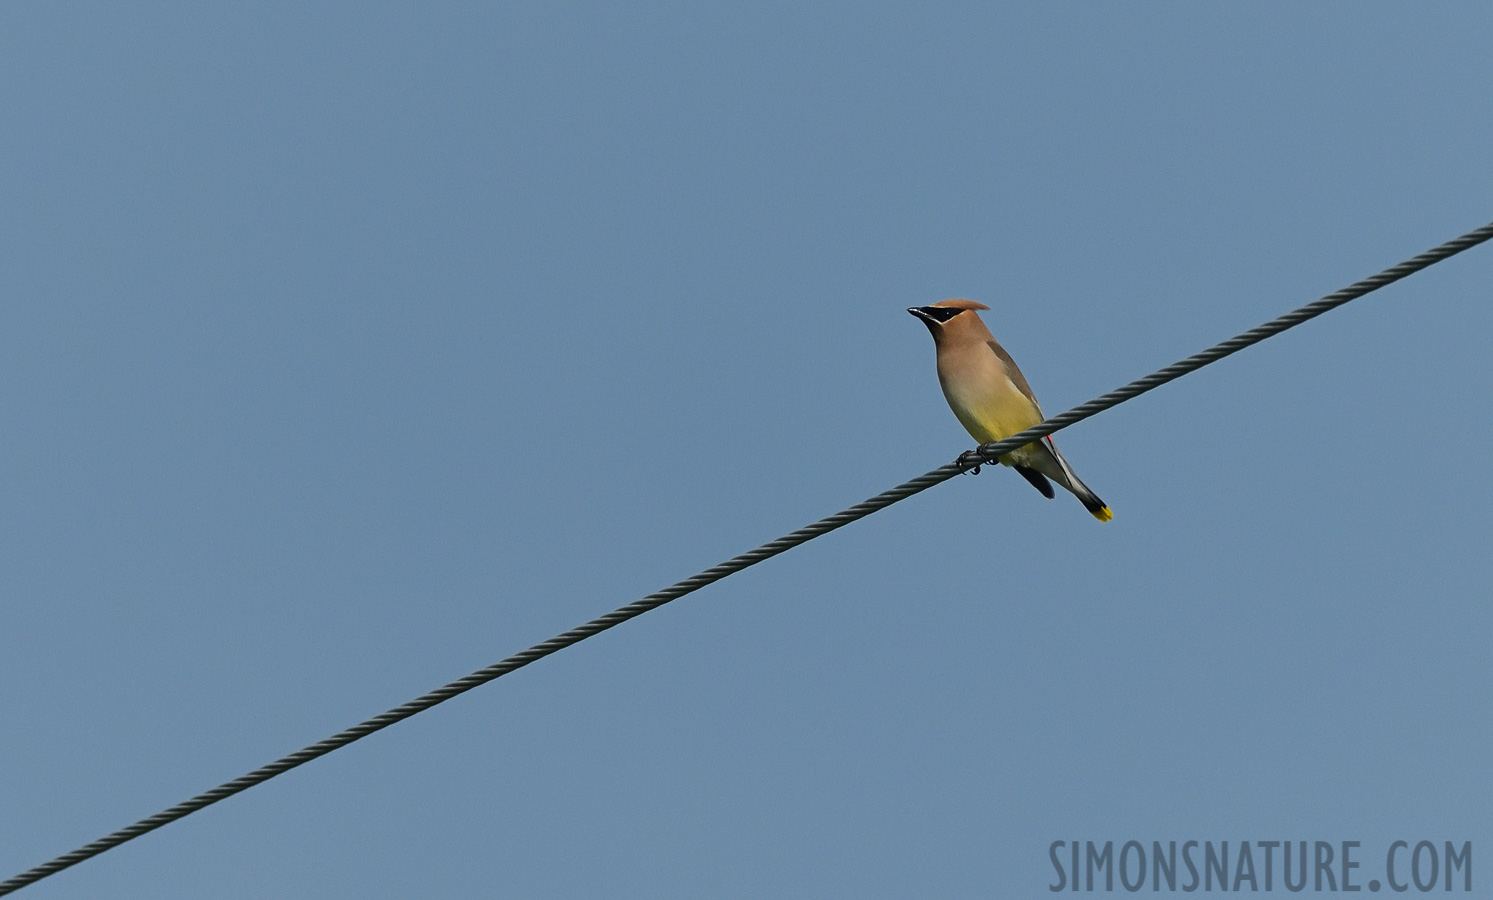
965 462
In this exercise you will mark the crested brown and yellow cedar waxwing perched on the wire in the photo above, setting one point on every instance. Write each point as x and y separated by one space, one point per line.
994 401
